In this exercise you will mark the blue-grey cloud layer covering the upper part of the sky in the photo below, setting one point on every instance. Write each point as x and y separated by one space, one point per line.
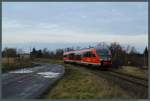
111 18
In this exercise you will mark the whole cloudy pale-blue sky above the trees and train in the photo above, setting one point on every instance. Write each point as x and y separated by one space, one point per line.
60 24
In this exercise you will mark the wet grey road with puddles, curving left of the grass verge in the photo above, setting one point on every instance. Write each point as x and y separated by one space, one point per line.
30 82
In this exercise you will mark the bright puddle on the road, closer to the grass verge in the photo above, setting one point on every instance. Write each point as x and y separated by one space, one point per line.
49 74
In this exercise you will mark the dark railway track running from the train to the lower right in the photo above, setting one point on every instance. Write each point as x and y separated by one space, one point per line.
133 85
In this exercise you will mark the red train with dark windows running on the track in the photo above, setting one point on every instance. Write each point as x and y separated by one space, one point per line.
90 56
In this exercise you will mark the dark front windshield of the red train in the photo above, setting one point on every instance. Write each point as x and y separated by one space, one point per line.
104 54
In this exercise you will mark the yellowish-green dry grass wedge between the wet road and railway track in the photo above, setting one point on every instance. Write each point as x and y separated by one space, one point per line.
81 84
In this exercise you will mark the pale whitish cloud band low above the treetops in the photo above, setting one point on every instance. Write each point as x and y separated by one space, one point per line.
55 33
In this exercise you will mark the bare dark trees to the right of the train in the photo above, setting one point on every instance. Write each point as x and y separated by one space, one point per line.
129 56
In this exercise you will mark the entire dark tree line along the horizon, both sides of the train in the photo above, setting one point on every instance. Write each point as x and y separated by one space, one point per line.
120 55
